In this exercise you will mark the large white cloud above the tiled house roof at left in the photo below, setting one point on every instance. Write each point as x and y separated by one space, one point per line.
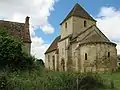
38 10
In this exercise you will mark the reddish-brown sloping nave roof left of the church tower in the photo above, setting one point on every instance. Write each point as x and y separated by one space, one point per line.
53 46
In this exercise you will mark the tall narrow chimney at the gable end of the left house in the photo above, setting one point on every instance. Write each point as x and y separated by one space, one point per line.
26 31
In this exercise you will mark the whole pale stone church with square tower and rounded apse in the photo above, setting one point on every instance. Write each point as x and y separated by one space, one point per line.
81 45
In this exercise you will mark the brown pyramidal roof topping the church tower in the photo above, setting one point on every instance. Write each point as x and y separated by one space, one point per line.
79 12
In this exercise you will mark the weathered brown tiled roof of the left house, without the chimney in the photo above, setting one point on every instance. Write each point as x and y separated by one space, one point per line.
15 28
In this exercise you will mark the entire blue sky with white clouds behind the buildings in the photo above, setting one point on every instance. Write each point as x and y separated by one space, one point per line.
46 15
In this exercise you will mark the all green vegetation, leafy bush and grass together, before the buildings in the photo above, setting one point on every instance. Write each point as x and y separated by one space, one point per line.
18 71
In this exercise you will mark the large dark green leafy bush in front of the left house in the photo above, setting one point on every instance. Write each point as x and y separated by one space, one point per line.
11 55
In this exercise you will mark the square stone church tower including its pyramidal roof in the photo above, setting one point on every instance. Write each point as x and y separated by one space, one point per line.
76 22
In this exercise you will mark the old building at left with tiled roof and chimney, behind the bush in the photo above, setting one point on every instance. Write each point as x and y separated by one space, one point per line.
19 30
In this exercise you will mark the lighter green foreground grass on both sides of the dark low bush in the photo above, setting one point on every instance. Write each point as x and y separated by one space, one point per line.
40 79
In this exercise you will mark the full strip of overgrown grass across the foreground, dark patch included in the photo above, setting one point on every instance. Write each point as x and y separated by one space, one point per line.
40 79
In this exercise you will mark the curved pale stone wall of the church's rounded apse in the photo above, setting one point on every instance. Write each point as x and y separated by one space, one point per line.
97 52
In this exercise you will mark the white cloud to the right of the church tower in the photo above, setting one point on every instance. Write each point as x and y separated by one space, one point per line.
108 21
